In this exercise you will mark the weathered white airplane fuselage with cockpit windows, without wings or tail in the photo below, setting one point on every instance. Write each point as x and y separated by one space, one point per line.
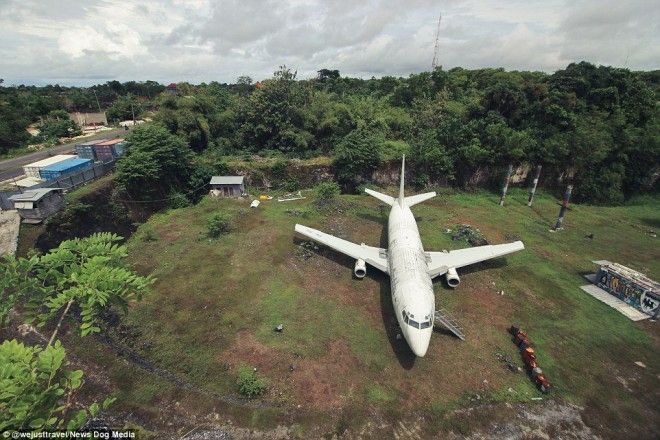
412 288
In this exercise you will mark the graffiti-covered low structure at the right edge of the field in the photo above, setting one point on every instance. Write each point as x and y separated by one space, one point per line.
629 291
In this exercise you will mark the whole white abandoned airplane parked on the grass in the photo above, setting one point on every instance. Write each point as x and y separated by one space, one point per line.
410 268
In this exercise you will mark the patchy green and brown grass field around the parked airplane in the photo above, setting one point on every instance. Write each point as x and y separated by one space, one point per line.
338 361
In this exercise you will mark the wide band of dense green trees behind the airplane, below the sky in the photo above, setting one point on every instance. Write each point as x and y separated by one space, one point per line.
597 126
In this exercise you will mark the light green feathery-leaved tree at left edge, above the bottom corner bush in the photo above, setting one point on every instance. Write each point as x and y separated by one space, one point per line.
85 274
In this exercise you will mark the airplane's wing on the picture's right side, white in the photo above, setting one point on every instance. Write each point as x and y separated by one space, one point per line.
440 262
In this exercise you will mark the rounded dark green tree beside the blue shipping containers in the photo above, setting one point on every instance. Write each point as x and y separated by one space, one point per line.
156 163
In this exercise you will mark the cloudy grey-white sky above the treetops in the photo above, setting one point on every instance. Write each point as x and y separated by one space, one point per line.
86 42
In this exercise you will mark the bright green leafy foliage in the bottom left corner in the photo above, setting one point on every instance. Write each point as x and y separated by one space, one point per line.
37 392
